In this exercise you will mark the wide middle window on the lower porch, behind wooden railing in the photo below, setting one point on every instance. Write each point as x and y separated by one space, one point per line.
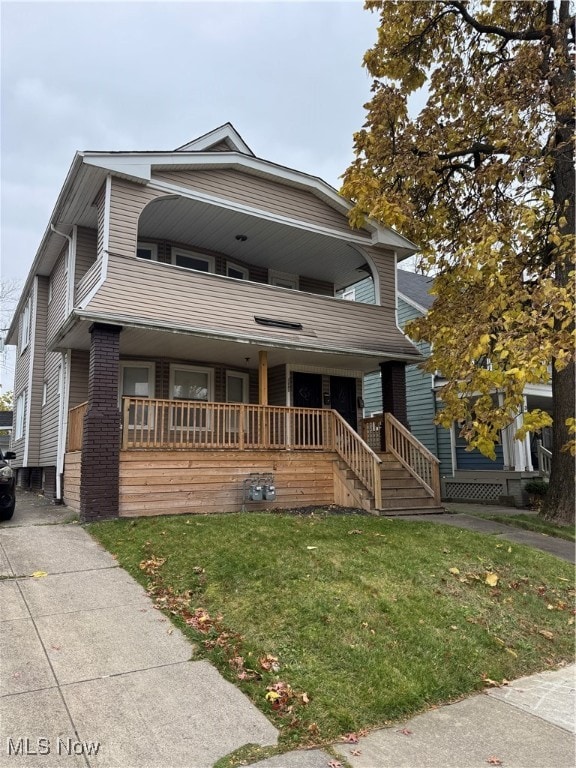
193 384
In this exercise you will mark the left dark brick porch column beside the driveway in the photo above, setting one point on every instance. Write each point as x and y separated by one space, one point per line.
99 480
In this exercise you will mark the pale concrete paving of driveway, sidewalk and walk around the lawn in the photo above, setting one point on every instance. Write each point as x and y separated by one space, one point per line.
92 675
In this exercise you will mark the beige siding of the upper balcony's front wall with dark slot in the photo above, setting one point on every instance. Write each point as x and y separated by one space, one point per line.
210 303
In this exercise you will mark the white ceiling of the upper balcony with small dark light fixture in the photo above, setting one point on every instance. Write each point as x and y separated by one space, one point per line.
268 243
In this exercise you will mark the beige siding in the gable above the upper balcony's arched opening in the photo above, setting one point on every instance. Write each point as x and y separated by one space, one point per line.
263 194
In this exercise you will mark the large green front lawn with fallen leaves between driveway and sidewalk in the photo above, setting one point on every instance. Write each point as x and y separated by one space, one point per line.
363 614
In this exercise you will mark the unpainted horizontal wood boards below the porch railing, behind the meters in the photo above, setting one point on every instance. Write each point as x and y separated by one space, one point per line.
195 482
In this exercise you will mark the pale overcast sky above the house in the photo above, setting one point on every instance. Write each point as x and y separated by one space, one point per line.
154 75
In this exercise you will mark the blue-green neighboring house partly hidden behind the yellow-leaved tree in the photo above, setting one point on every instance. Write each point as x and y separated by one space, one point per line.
466 475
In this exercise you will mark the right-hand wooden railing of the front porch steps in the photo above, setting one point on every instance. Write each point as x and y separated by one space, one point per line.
415 457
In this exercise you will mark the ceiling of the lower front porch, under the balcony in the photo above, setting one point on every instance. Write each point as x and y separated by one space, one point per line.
143 343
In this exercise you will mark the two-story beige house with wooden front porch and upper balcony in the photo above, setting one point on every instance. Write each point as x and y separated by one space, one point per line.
181 344
